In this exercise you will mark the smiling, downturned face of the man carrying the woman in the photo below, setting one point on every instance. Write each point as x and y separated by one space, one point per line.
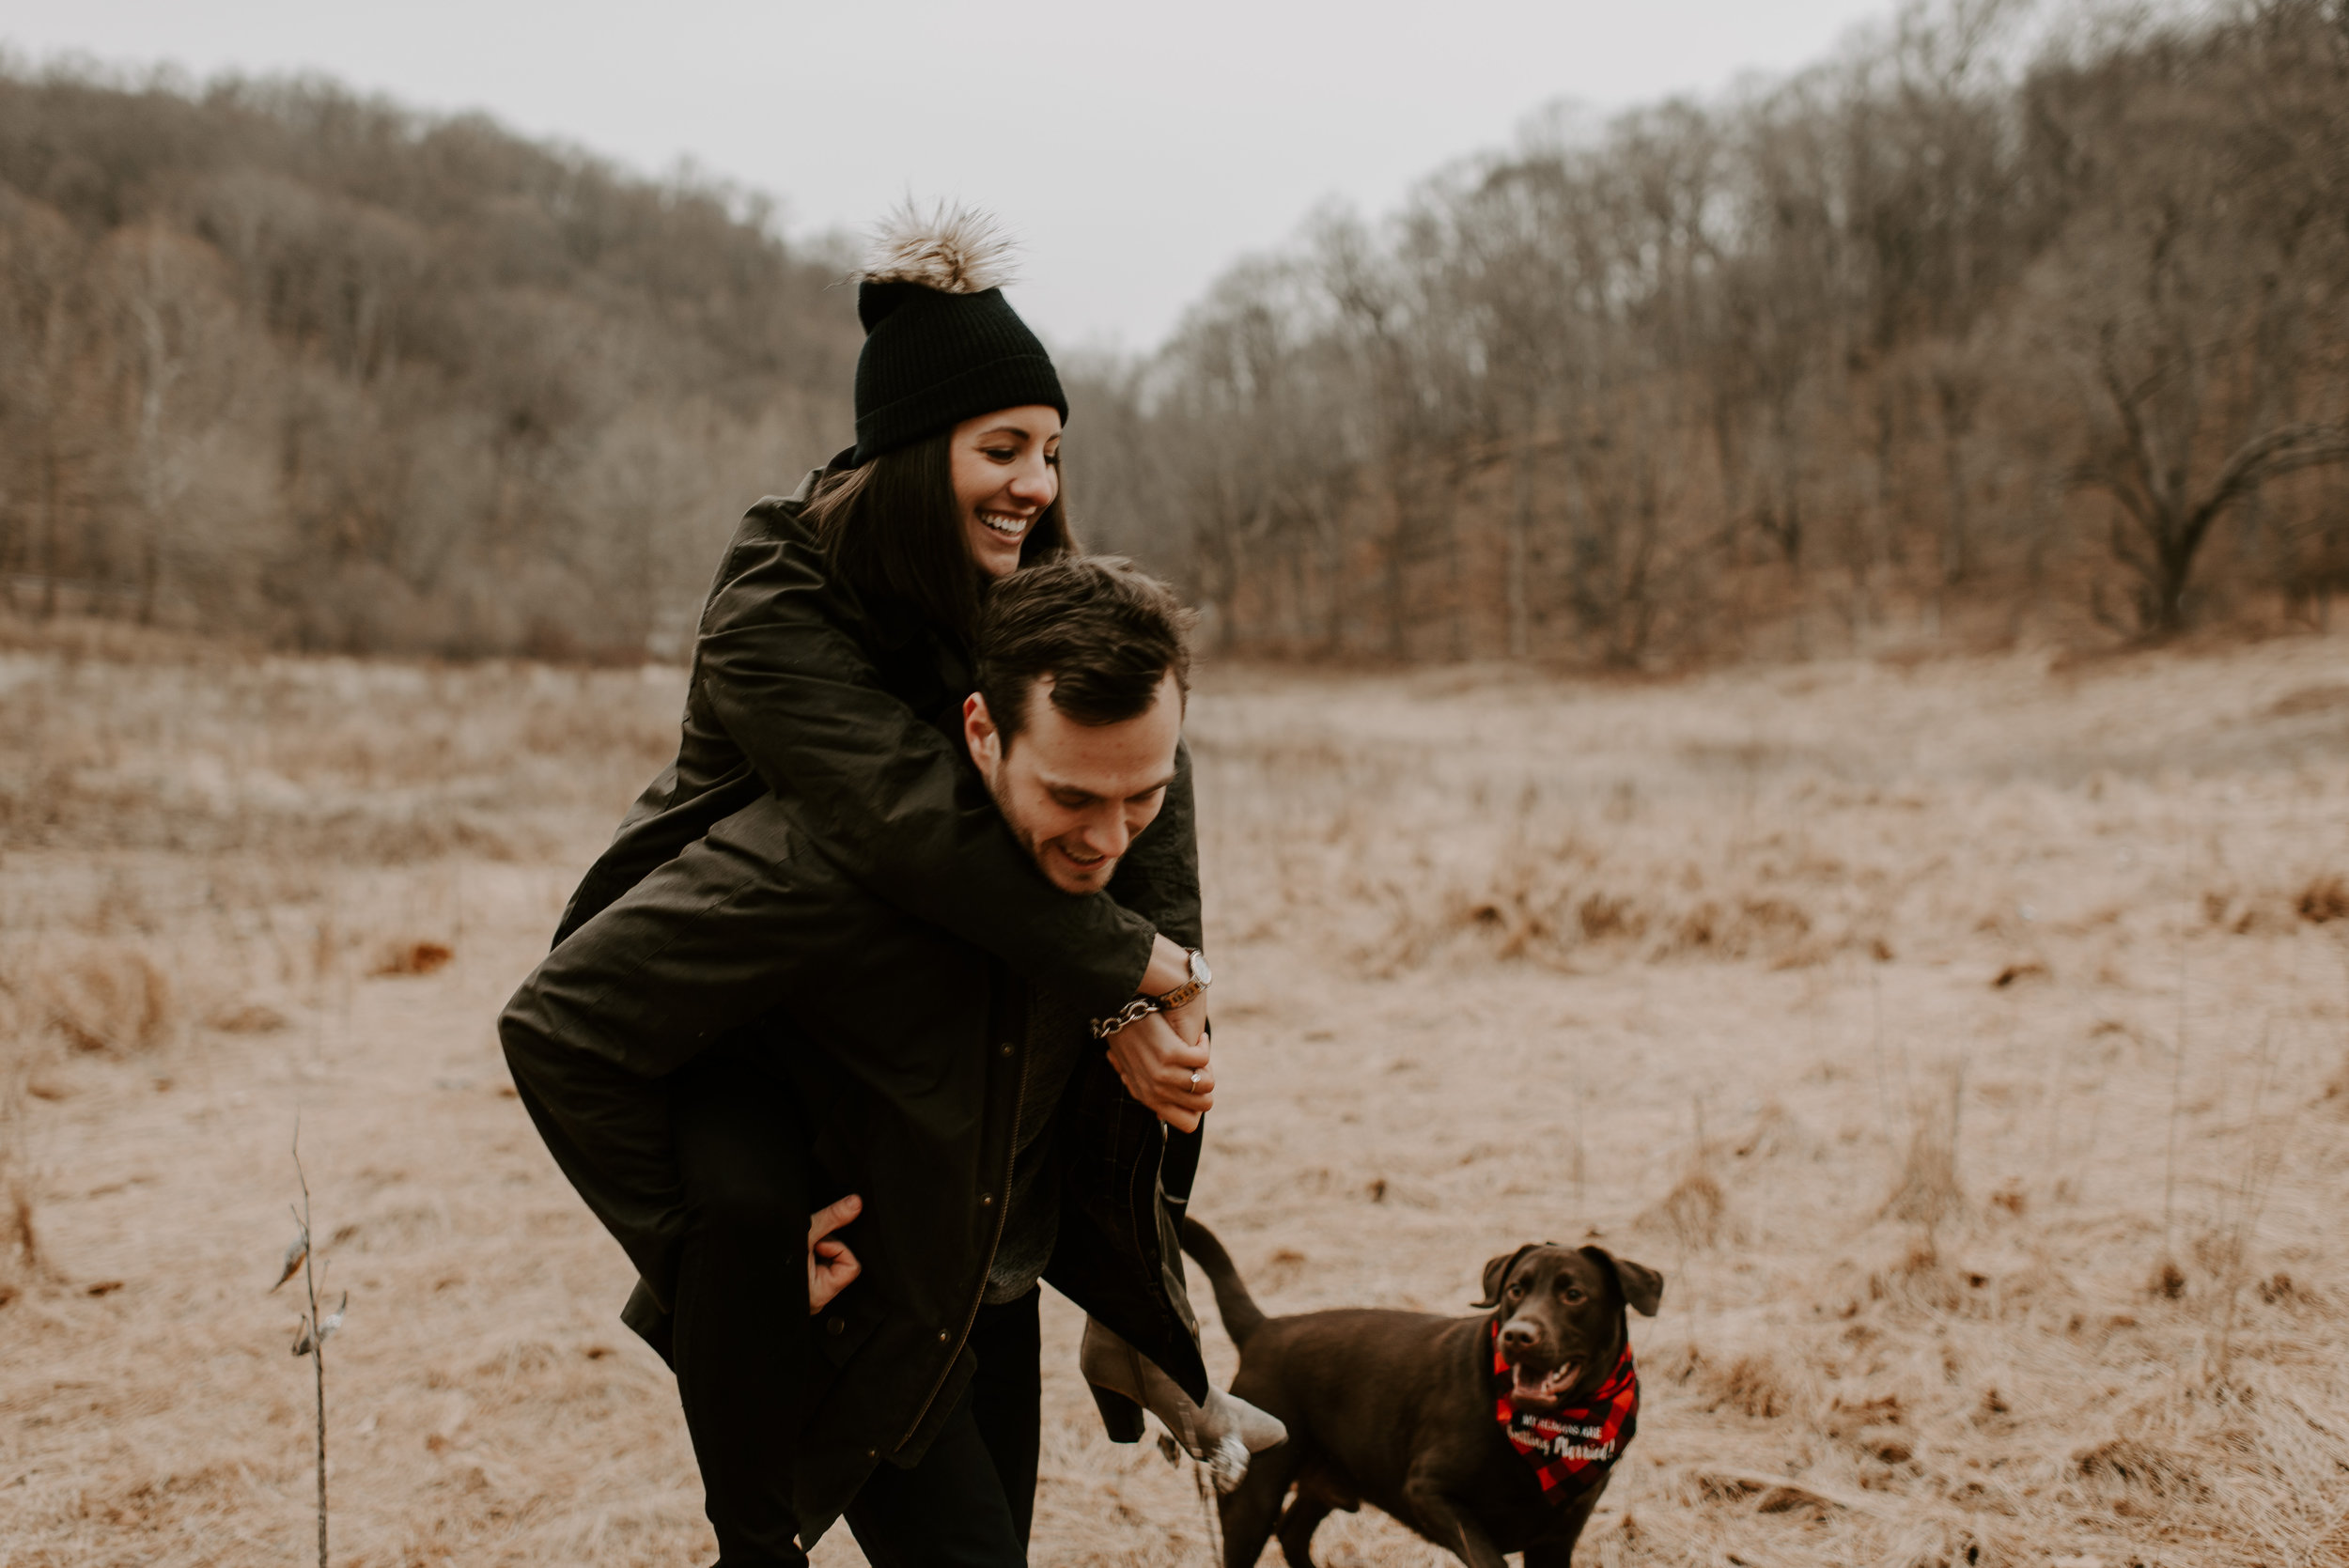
1077 795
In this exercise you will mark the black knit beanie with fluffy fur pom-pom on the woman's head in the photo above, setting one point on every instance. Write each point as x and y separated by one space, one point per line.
941 342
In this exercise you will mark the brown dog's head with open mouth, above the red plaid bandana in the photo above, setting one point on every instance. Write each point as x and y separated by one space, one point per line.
1561 1313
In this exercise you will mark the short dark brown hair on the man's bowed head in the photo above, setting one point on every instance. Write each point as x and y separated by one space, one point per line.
1105 633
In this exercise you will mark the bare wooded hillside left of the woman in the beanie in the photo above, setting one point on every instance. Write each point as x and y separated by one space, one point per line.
311 367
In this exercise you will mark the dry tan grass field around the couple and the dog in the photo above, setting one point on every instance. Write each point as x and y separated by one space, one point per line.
1965 1041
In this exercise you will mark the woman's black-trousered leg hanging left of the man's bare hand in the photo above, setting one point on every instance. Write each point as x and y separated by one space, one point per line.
743 1299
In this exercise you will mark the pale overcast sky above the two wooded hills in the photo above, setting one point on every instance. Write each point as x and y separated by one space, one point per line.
1133 149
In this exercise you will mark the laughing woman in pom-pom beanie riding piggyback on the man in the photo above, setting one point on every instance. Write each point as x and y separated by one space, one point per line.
837 630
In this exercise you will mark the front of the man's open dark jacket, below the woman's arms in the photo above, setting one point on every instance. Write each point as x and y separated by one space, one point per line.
910 1065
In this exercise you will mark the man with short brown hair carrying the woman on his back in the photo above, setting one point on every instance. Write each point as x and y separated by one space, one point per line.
988 1170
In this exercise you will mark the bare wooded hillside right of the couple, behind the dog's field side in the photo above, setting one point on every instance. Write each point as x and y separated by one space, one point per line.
1948 327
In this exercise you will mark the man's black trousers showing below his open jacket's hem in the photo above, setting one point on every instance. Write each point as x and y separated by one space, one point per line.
971 1499
